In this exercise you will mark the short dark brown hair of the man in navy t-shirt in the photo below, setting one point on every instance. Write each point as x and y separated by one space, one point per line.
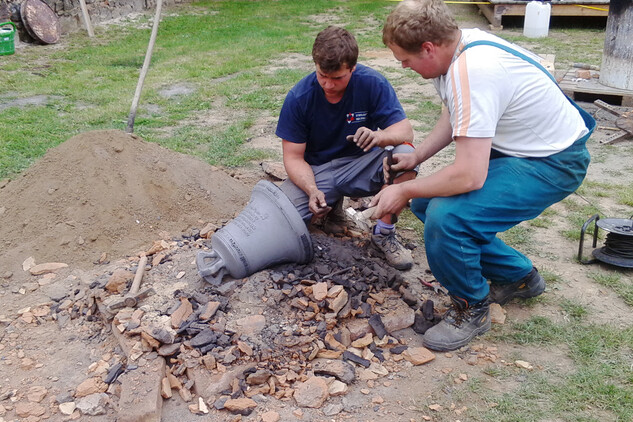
334 48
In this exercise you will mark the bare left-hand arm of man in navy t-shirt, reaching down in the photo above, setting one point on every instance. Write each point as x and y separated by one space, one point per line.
301 174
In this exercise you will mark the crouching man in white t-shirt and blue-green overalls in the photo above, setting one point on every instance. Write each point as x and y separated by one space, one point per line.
519 148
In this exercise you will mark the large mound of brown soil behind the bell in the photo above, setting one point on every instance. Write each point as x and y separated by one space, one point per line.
109 191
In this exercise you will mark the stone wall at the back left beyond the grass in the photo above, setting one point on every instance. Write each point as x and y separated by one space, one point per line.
69 12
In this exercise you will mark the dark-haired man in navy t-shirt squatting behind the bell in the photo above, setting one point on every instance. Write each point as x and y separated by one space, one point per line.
335 124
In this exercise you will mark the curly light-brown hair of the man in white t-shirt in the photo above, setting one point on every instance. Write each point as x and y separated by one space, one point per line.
414 22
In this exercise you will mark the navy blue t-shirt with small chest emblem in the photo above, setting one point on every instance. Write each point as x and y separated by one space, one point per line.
307 116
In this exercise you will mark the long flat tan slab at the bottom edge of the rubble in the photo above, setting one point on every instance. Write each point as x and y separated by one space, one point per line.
142 404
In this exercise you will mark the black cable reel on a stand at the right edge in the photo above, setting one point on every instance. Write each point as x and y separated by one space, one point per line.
618 245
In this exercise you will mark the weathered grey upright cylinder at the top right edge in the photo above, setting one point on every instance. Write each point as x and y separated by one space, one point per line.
617 58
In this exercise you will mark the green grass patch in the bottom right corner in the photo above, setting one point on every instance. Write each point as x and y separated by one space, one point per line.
599 385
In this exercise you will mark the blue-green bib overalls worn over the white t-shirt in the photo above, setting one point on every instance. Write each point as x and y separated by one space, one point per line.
460 232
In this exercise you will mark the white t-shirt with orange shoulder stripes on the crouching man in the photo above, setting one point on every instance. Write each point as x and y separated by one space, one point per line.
491 93
